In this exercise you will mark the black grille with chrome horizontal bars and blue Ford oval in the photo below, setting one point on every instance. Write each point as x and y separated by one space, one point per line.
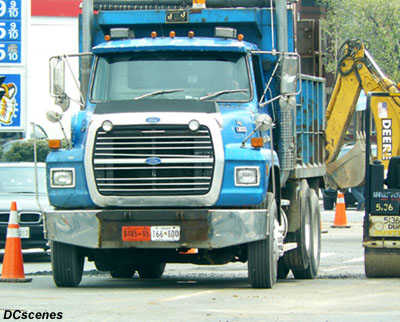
153 160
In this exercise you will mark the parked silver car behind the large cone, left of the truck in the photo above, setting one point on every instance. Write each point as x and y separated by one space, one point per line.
18 184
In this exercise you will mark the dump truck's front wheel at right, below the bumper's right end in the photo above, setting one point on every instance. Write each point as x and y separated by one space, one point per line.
262 255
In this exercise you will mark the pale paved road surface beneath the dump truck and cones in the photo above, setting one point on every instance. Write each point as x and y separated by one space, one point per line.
218 293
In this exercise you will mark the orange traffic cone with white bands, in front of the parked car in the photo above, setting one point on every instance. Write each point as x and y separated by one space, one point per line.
13 266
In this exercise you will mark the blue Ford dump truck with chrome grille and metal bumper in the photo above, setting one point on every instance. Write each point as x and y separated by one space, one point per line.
198 141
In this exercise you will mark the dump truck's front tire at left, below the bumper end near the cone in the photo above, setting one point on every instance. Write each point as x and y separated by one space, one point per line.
67 264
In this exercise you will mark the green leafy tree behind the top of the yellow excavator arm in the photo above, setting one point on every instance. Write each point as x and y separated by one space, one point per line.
374 22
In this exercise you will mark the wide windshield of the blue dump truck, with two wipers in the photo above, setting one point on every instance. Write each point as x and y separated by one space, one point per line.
172 75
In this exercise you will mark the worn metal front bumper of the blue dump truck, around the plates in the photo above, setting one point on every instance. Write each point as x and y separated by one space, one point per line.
200 228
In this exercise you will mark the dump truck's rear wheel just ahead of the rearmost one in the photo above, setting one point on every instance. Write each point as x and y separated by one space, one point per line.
298 259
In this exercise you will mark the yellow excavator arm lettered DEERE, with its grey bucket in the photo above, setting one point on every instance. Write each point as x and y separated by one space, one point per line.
357 70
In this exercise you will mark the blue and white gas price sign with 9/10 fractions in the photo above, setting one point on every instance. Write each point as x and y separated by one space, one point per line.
10 32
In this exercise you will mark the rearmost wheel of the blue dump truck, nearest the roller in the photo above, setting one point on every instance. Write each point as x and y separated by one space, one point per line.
311 271
